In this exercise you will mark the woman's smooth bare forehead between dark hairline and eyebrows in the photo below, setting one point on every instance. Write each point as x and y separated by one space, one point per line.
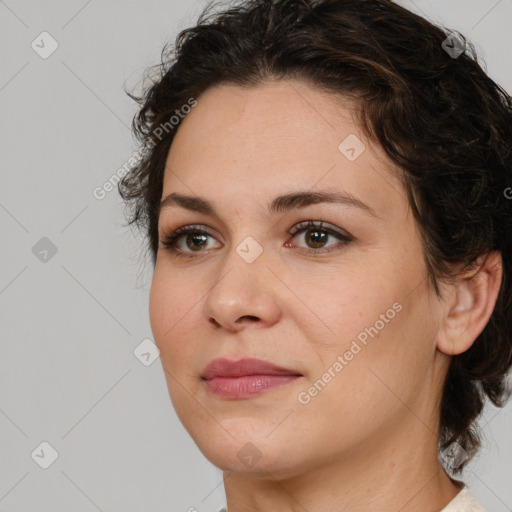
272 137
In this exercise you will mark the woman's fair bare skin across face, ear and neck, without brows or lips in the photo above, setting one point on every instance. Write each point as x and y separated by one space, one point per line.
368 440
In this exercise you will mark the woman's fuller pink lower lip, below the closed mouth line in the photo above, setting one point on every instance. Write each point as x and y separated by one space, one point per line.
246 386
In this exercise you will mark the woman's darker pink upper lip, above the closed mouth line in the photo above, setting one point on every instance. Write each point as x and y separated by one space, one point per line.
238 368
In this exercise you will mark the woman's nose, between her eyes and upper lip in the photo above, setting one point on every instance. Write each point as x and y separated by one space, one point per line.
242 295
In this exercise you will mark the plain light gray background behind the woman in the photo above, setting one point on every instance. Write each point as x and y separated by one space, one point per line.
70 323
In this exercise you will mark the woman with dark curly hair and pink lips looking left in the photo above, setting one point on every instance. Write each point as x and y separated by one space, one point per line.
324 188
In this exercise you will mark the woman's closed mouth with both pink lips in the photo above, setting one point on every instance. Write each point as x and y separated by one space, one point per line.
245 378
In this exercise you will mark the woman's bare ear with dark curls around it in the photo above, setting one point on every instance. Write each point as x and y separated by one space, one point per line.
469 304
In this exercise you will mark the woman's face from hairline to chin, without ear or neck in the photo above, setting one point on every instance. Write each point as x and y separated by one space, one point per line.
345 306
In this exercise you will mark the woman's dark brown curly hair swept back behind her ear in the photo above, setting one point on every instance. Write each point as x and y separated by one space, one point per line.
444 123
